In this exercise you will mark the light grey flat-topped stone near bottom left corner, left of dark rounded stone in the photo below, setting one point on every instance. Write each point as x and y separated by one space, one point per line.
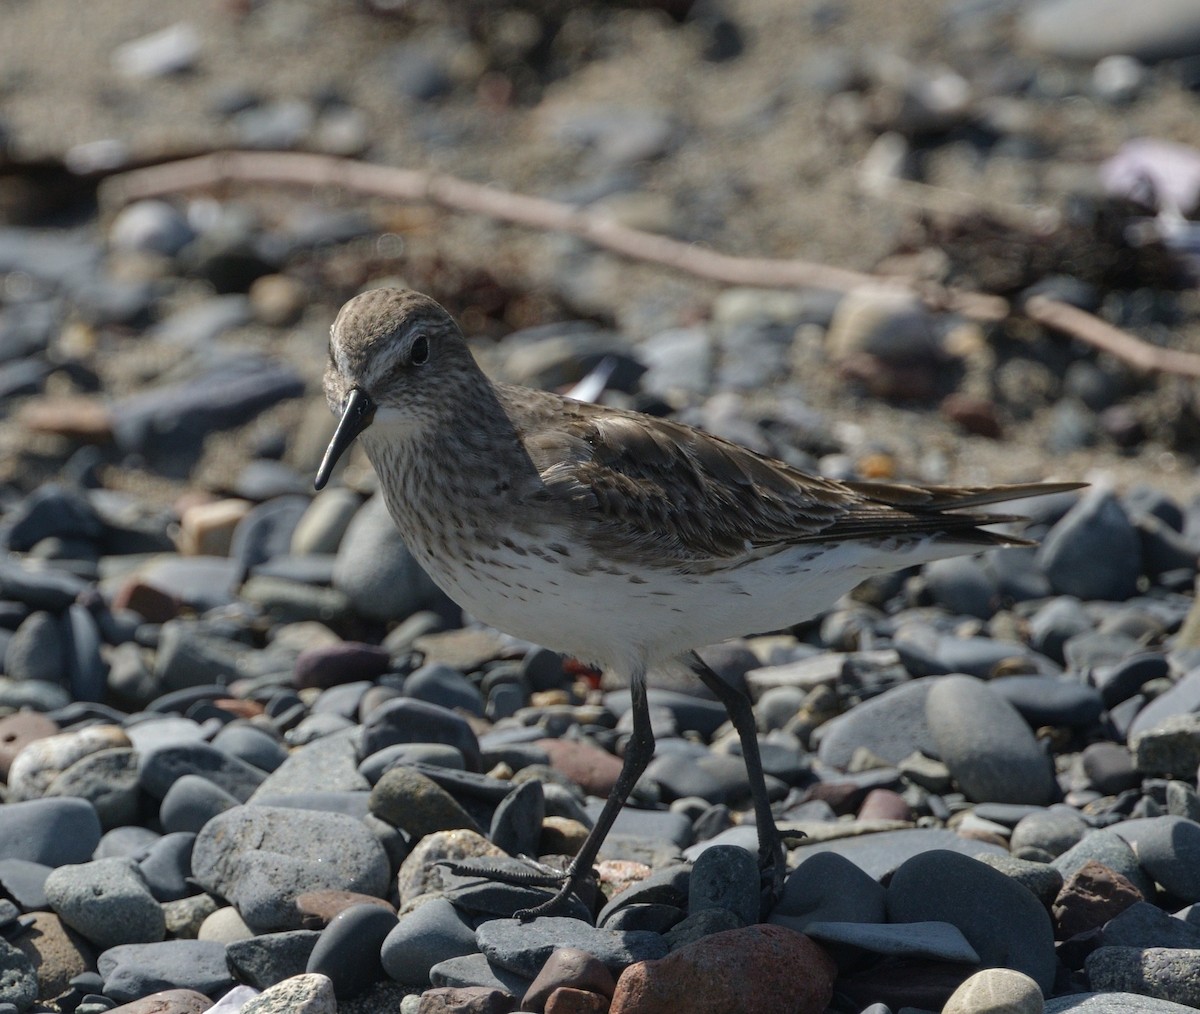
136 970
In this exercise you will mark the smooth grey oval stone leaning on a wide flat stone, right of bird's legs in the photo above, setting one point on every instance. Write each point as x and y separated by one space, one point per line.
988 747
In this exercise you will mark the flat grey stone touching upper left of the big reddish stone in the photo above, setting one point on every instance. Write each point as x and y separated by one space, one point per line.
525 947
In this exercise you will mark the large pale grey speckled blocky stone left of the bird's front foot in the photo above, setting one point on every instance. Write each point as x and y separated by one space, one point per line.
261 859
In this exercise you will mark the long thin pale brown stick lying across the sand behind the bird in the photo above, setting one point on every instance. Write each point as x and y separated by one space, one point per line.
391 183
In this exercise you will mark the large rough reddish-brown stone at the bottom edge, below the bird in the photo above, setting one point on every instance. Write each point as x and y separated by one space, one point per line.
757 970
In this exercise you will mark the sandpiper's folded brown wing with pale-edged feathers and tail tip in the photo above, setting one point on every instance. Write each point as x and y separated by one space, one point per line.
644 484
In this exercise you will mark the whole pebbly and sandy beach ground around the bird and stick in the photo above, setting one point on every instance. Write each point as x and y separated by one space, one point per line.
241 729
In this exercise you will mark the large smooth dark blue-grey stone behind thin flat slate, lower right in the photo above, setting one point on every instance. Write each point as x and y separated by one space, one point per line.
1000 919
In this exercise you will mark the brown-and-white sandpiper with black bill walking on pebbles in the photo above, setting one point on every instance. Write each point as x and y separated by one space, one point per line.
621 539
